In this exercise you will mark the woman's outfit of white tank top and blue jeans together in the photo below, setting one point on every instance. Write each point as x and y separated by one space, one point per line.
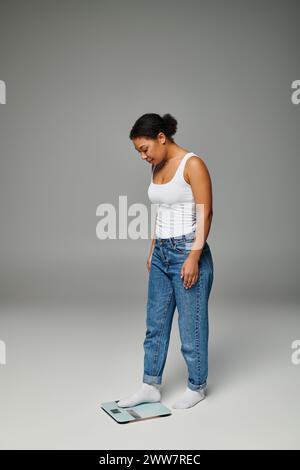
174 235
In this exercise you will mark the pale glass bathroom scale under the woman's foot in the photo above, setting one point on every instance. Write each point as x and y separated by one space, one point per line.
135 413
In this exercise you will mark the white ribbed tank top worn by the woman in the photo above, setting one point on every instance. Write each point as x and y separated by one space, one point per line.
175 204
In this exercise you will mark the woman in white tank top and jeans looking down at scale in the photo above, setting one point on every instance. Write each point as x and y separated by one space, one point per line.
180 263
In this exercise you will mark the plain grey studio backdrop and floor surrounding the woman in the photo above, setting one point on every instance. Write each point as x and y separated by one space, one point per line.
78 74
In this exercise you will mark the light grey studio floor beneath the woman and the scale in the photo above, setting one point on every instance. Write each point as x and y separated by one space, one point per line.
63 361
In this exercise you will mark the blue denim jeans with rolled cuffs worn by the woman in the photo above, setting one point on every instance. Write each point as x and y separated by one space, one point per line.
166 291
